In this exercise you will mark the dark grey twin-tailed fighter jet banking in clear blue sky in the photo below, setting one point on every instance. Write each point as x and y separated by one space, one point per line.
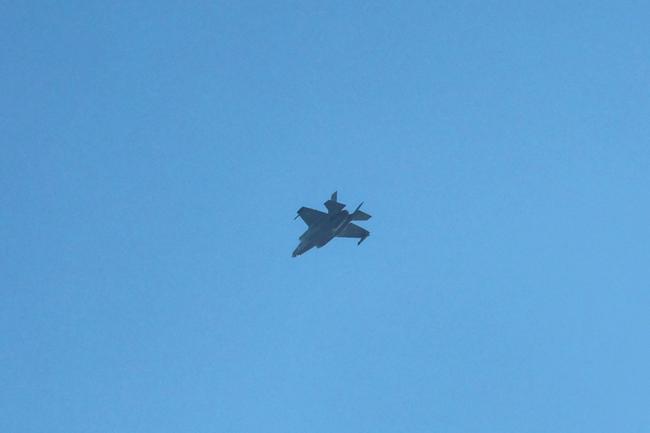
323 227
